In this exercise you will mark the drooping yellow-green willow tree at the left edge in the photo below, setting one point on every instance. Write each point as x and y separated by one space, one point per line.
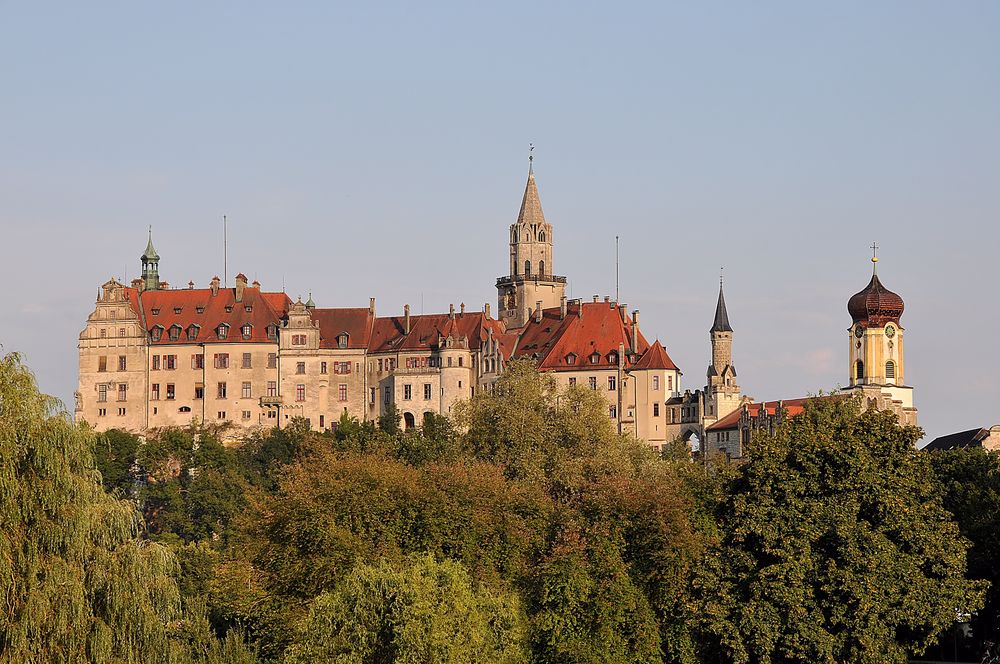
77 581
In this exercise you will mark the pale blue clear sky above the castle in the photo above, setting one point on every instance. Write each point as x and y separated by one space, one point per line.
379 149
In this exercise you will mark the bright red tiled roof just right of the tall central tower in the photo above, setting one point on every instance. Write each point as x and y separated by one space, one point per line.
601 329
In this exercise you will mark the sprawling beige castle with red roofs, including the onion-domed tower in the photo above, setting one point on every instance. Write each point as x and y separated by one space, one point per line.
154 356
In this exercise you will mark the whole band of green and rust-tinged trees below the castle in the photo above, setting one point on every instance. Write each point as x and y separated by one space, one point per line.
523 529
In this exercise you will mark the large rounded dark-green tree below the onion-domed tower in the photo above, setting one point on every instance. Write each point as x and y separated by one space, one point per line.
835 545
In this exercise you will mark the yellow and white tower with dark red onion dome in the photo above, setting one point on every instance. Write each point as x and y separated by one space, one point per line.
876 359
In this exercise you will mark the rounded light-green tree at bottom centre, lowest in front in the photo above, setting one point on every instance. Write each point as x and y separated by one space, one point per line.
421 611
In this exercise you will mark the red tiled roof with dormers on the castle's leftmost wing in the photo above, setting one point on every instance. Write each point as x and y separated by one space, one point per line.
213 313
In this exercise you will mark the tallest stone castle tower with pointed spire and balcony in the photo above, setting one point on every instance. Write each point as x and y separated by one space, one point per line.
531 282
